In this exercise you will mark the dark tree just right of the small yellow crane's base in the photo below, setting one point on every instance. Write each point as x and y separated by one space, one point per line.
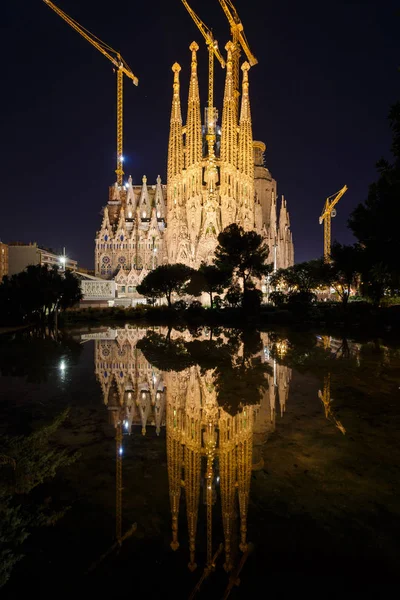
342 271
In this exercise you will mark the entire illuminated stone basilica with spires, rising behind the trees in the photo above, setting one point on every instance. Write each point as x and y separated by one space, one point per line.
216 176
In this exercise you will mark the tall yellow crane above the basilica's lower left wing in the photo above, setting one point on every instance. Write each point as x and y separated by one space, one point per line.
122 68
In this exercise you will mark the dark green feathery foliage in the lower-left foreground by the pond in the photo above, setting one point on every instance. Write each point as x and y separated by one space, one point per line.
25 463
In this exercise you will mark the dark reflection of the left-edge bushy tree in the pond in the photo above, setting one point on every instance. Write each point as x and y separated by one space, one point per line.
32 354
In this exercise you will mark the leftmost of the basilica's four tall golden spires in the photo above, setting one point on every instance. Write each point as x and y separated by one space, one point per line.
175 145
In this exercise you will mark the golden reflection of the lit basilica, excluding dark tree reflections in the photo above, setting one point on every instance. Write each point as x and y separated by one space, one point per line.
210 452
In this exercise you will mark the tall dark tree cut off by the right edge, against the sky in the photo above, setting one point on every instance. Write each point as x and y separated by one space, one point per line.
375 223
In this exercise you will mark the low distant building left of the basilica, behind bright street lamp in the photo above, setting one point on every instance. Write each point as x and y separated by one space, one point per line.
21 255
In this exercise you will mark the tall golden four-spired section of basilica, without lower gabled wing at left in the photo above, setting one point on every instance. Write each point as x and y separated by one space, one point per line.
211 185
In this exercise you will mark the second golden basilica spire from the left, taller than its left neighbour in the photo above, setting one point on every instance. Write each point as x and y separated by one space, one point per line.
193 122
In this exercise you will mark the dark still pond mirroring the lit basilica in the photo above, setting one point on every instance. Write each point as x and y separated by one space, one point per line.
209 463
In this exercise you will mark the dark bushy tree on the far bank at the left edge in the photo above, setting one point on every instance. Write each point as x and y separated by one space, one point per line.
36 294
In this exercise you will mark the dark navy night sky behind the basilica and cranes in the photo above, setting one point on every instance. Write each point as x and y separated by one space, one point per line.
320 95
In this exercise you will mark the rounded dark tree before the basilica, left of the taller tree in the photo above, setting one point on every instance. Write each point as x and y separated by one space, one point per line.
164 281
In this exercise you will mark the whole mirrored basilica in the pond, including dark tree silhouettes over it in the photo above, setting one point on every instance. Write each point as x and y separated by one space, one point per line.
216 393
